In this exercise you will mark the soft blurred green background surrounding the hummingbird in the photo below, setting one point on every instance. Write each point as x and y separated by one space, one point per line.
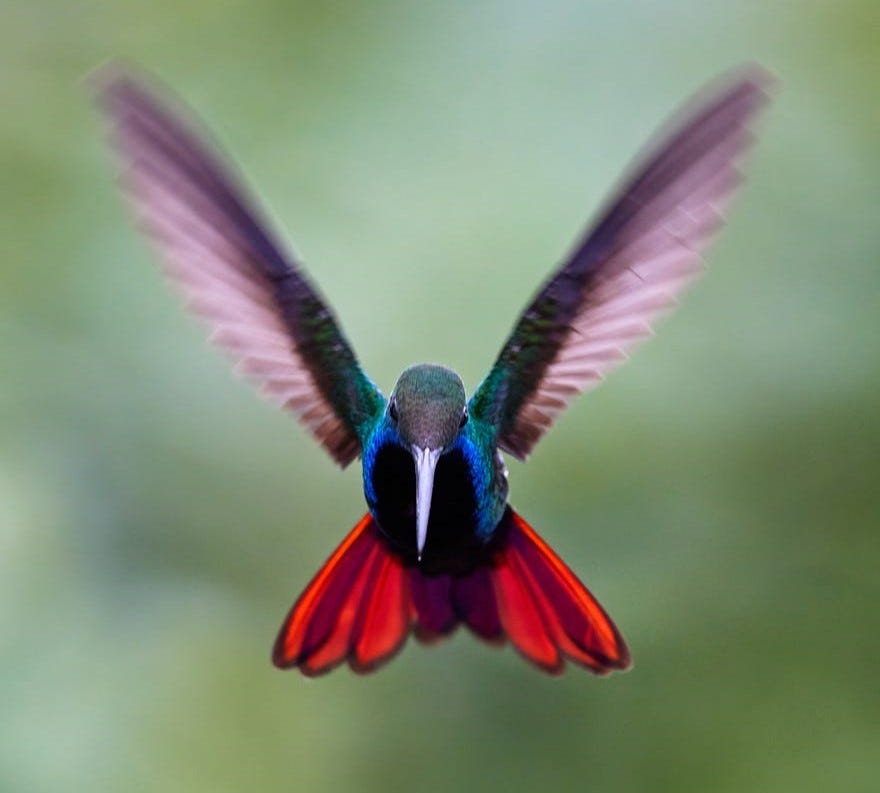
430 162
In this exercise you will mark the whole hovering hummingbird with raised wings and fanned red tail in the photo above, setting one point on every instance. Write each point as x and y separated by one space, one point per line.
440 544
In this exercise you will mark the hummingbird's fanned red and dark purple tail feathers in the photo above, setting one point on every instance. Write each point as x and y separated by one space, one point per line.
364 600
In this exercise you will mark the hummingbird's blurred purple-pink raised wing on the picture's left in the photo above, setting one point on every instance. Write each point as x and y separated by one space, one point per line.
234 275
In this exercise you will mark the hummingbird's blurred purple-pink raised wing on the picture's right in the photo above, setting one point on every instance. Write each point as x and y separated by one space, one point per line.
635 260
